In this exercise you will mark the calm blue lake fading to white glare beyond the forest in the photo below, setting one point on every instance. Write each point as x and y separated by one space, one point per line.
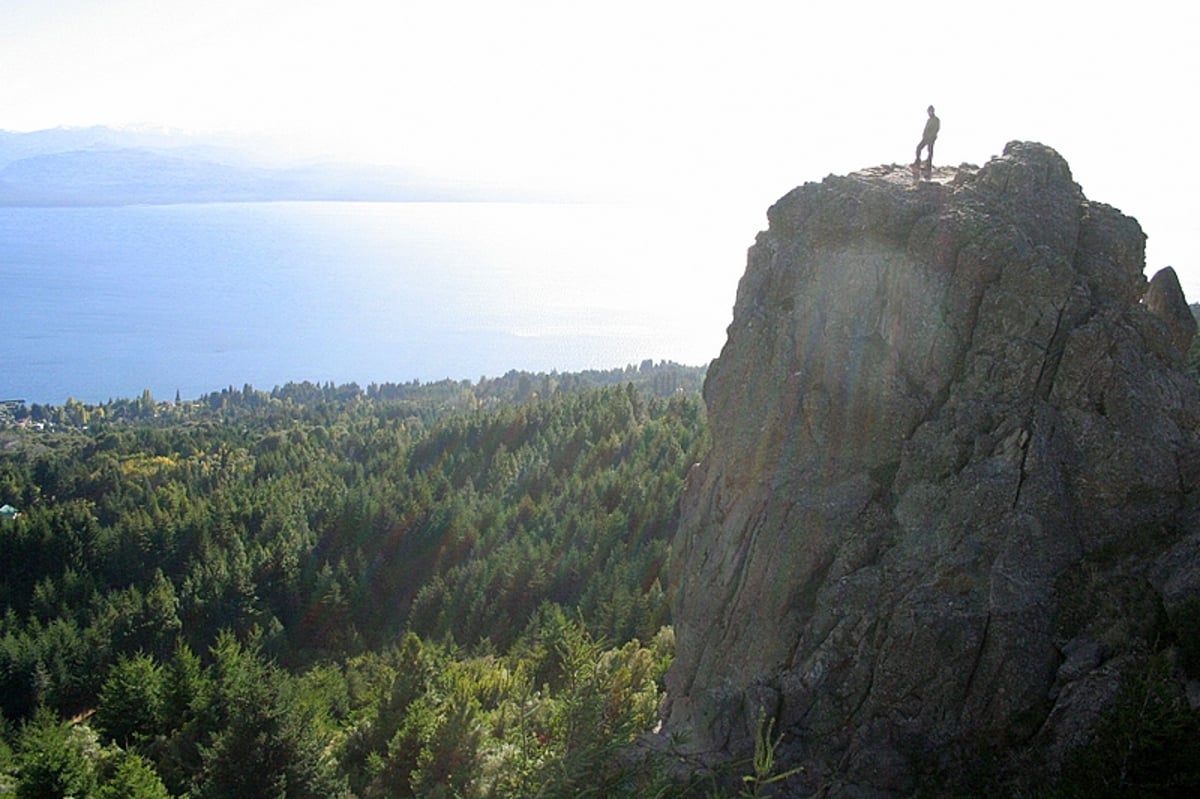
103 303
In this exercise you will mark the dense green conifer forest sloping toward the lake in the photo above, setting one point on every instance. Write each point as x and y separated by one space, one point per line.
441 590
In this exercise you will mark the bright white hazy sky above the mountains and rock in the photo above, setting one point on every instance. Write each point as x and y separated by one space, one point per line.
725 105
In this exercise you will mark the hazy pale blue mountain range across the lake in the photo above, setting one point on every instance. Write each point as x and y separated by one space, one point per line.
100 166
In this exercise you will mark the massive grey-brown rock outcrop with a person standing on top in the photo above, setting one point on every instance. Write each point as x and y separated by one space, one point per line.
950 426
